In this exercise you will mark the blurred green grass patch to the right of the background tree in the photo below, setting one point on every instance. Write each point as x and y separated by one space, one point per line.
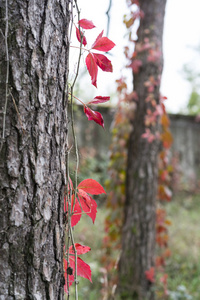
183 266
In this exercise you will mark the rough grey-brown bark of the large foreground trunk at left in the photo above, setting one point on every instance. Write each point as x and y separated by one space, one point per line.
32 157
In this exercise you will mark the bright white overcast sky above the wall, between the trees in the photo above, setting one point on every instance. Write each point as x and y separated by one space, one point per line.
181 33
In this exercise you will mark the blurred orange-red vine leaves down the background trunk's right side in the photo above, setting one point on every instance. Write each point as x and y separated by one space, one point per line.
164 192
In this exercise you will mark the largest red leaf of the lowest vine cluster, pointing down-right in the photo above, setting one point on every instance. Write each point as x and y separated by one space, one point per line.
83 269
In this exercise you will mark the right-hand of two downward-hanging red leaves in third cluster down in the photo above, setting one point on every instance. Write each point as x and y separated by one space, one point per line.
88 204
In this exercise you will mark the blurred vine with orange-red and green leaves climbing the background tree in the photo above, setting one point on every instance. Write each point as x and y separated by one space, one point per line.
118 159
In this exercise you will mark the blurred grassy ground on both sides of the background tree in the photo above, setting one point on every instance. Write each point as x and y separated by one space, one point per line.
182 267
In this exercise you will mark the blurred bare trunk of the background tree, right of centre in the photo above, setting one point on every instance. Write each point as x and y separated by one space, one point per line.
138 234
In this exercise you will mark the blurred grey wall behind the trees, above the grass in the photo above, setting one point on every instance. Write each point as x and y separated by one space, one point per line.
185 131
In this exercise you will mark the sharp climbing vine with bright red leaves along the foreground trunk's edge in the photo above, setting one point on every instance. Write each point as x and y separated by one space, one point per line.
78 200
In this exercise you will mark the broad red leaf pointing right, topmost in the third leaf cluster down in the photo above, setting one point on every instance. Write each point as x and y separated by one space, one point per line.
91 186
